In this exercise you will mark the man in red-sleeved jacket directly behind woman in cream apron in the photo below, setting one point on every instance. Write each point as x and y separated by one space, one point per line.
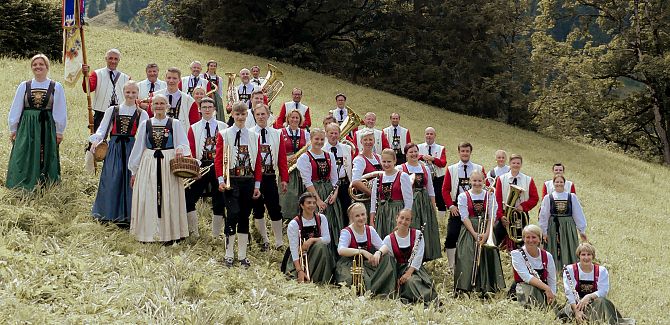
182 106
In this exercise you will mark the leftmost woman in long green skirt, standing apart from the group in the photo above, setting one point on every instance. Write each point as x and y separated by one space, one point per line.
37 120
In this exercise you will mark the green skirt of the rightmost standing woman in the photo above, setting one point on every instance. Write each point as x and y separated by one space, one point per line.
569 241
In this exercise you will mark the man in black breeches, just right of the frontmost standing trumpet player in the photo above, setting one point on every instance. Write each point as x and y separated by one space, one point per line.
273 162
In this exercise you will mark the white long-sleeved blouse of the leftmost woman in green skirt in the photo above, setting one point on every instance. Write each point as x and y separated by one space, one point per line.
59 111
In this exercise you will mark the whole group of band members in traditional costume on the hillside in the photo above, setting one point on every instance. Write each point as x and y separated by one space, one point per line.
369 195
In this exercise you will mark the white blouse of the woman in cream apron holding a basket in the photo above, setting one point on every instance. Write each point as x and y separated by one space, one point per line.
178 138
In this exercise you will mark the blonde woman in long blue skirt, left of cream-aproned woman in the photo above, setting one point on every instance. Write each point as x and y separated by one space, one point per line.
113 201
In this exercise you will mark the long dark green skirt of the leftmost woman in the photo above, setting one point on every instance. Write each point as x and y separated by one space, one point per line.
24 168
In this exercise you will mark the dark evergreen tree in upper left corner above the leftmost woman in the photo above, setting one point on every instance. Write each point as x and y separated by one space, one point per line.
30 27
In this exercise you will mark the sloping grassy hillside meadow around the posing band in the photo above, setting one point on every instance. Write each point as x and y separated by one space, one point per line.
57 265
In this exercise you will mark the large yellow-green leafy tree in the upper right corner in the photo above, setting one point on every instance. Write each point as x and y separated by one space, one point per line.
609 76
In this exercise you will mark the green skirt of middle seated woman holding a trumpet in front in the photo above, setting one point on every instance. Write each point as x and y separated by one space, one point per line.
380 280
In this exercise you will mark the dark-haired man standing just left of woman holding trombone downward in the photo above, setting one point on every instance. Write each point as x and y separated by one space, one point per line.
457 181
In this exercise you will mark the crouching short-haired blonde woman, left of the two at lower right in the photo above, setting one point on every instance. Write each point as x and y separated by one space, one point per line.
534 271
